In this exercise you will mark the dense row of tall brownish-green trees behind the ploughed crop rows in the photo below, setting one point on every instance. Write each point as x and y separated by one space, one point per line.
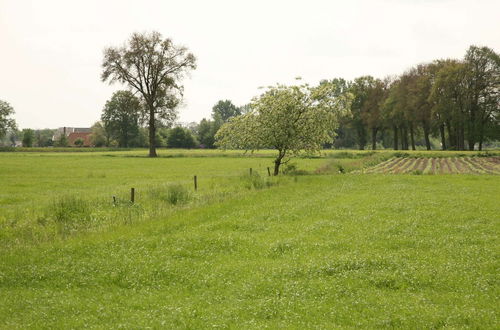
456 101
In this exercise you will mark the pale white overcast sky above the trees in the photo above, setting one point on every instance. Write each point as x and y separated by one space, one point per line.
51 51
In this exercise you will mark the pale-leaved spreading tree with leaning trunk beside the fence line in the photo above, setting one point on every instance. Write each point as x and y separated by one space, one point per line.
289 119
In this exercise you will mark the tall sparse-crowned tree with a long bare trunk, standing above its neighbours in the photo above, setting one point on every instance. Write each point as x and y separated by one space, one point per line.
154 67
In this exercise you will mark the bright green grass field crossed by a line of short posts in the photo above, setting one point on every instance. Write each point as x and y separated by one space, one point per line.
322 250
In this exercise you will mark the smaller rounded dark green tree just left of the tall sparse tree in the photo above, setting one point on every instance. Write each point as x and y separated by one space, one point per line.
121 117
